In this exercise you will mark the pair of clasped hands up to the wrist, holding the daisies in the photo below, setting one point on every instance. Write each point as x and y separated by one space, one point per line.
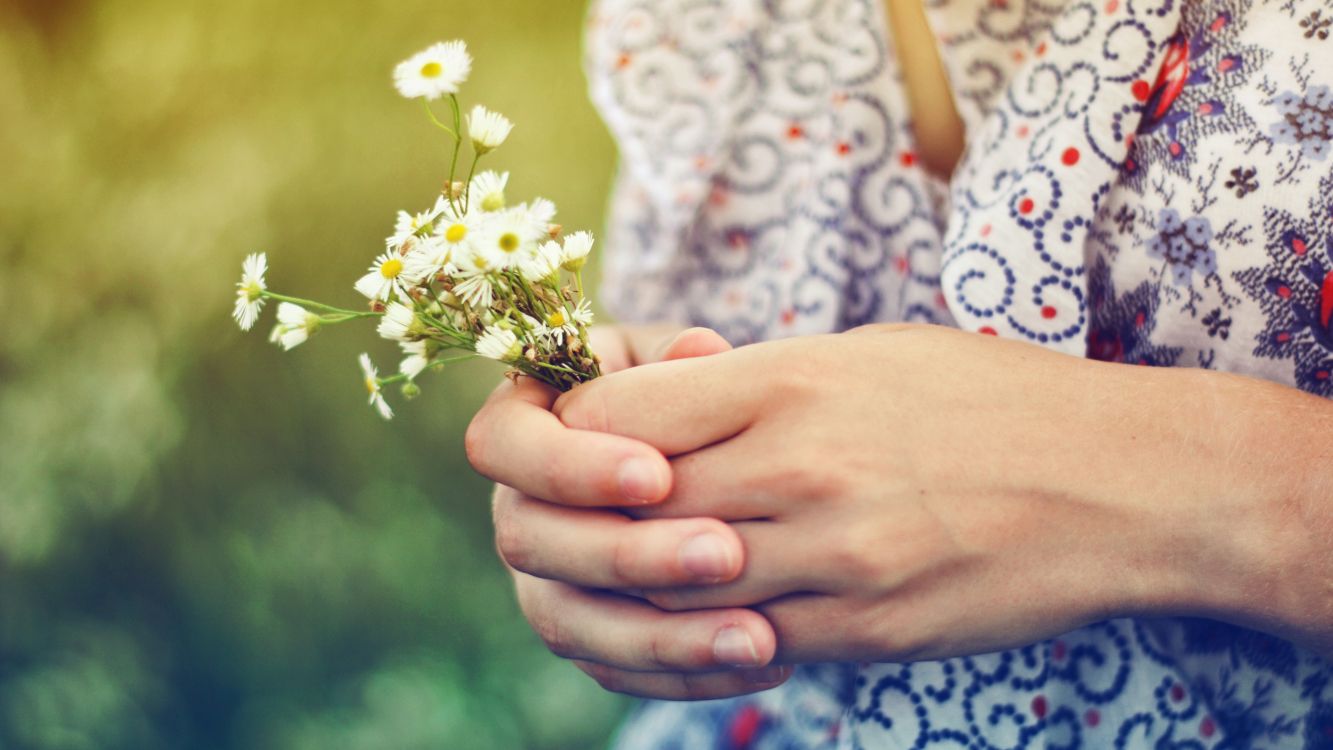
691 527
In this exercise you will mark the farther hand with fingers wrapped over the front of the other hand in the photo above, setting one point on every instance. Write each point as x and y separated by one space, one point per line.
558 531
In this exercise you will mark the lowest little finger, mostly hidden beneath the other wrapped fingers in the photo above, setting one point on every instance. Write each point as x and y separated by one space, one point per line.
686 687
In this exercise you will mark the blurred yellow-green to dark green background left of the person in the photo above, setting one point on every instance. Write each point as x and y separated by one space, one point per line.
206 543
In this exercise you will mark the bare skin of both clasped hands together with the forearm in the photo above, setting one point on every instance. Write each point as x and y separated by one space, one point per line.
896 494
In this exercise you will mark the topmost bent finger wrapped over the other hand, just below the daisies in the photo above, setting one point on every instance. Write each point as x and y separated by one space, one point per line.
517 442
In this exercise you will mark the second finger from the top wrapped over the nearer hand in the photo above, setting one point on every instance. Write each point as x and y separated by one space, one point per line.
607 551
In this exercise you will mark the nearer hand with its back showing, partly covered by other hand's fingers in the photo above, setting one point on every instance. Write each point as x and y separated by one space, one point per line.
907 492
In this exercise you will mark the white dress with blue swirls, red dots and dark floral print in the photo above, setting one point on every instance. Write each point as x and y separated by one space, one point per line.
1146 182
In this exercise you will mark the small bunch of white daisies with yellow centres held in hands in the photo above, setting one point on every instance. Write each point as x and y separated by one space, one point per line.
471 276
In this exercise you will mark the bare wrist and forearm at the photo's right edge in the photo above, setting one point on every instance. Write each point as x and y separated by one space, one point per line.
1232 526
